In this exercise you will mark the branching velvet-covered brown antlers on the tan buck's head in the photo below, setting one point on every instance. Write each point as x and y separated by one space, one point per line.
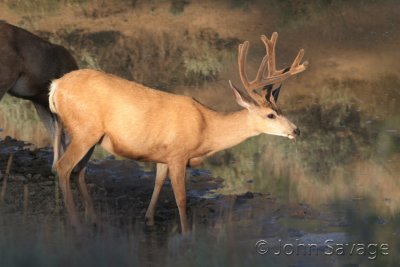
273 76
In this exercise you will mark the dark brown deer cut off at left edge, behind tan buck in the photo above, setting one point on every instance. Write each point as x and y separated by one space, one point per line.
27 66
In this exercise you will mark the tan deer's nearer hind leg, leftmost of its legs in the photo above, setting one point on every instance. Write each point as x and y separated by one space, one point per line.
74 153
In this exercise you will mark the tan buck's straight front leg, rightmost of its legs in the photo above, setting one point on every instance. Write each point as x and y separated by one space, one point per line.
177 177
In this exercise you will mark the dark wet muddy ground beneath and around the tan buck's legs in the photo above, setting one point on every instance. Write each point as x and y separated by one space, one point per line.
121 191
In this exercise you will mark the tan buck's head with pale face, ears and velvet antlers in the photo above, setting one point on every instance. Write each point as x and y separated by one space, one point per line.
263 110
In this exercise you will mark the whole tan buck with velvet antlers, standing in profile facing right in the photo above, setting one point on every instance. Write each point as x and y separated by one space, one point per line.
133 121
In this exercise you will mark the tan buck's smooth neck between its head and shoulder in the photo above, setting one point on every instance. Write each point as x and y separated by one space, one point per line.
230 129
